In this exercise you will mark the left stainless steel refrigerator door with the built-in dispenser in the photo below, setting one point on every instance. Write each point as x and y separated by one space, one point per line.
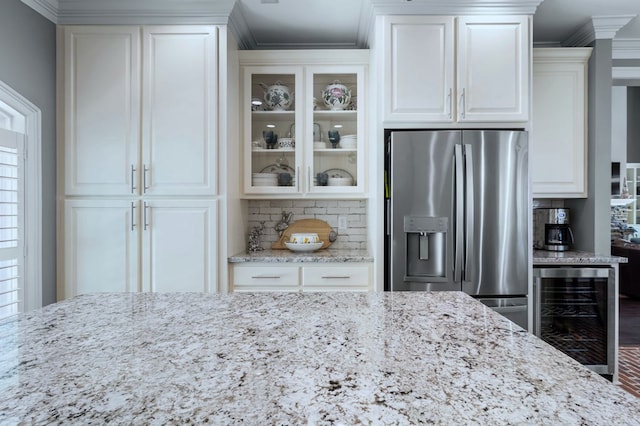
423 210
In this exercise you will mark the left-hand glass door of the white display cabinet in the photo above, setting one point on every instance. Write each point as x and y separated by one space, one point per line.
272 113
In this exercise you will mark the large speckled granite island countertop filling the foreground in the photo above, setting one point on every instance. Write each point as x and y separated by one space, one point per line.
294 358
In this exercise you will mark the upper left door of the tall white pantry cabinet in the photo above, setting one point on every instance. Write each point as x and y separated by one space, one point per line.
101 109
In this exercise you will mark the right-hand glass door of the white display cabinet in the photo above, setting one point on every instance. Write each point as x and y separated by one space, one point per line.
335 130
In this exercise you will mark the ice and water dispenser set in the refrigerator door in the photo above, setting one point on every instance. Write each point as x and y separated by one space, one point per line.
426 239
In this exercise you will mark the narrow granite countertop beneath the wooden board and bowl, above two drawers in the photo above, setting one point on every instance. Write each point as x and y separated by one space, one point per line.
320 256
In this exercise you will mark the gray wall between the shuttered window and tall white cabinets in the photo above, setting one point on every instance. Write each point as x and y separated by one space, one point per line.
27 65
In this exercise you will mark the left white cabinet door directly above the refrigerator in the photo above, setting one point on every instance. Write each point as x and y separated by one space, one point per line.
419 73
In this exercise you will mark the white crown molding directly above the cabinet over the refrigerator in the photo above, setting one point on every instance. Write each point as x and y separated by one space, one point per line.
455 7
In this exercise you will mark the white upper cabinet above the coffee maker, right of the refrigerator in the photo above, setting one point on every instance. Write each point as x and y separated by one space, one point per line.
558 143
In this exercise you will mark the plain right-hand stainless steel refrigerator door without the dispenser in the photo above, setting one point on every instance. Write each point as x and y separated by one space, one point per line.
496 242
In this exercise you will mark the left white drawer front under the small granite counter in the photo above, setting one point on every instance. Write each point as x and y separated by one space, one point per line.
263 278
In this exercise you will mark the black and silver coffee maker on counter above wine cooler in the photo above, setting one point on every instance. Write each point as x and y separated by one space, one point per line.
551 230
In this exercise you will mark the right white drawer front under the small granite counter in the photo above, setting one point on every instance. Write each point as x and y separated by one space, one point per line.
347 277
